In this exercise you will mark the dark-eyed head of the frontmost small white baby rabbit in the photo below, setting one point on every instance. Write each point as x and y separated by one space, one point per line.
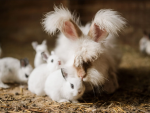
74 87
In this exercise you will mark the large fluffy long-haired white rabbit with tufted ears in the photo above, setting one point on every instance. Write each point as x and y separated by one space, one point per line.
96 57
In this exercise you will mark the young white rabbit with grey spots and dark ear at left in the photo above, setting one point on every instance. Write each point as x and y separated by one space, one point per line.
12 70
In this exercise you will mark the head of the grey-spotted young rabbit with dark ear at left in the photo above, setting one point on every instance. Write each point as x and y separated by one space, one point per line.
25 70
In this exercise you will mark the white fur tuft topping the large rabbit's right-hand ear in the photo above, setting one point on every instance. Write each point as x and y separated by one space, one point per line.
109 20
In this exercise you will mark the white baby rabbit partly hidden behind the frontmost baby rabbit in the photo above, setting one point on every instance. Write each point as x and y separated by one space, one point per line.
39 74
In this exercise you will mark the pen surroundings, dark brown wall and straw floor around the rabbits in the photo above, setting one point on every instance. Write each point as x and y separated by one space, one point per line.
20 25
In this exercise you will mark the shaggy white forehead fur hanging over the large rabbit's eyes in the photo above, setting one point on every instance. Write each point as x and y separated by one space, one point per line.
88 48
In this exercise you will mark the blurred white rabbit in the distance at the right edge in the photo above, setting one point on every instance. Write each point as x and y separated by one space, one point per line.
143 42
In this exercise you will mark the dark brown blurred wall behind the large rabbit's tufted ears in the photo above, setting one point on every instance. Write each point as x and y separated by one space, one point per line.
20 20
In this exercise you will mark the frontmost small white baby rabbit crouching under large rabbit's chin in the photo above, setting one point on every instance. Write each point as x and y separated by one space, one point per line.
62 87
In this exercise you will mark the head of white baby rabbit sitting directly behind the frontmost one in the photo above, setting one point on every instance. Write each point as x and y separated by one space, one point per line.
53 61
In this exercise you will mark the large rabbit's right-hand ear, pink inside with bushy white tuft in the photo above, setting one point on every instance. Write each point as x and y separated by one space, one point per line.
105 22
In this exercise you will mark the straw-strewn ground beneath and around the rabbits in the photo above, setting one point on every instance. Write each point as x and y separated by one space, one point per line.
132 96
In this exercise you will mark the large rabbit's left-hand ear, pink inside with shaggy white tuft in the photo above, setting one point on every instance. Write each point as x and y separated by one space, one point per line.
62 20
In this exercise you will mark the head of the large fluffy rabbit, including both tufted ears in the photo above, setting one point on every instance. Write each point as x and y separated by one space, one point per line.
89 45
